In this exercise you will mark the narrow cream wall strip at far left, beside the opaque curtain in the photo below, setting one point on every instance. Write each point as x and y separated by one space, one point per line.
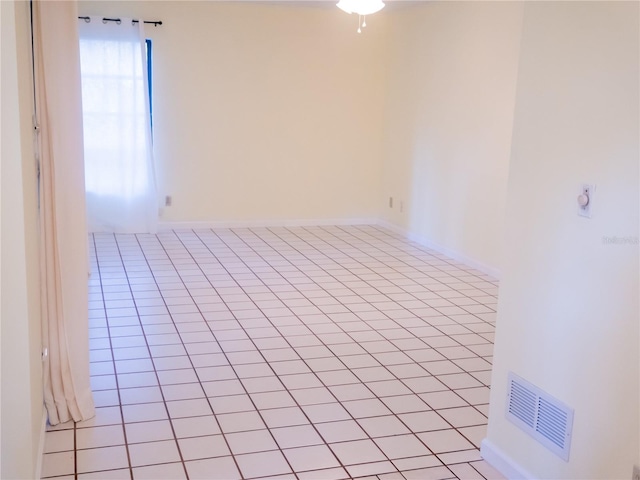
22 408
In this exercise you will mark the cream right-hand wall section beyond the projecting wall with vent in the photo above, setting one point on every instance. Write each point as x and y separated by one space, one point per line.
449 111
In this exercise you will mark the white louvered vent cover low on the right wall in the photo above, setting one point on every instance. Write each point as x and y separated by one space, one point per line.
545 418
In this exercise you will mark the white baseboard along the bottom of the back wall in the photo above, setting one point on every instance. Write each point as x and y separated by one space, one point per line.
166 226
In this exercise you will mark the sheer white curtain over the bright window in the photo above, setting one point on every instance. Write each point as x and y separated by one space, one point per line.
119 173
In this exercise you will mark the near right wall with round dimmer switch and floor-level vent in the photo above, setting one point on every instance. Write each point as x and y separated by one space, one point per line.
568 309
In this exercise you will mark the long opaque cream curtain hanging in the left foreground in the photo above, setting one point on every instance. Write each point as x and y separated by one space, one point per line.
63 227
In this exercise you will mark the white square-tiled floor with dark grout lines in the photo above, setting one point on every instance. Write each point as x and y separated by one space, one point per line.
309 353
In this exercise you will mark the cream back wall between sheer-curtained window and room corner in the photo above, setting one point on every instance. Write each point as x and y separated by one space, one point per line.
263 112
